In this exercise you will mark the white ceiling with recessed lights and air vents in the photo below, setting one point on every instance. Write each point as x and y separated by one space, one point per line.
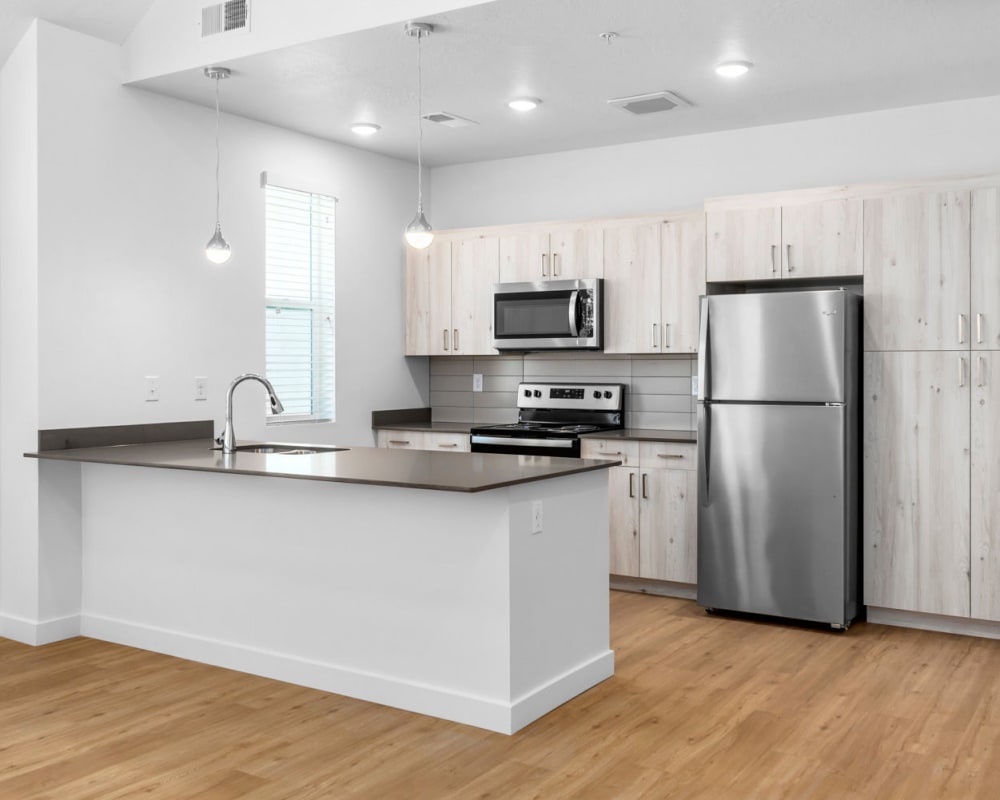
812 58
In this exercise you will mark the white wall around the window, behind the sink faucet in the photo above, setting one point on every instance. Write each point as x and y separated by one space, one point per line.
127 203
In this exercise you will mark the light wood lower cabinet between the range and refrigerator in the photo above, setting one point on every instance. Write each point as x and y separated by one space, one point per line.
652 508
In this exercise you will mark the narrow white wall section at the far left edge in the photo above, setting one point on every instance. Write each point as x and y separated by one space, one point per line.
19 566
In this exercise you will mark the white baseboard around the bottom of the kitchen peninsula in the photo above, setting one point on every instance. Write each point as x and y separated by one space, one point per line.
436 701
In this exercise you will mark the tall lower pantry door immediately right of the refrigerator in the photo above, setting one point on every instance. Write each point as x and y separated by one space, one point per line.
916 482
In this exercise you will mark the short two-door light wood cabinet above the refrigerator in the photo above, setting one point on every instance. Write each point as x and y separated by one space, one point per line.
798 239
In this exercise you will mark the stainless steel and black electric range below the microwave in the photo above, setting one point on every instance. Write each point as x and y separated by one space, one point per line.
551 417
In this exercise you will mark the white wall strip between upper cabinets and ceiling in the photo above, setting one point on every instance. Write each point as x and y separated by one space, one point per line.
942 140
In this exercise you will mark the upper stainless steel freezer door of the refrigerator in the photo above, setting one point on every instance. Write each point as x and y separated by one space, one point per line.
776 346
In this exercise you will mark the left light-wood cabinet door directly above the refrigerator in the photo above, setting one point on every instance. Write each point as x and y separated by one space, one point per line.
743 244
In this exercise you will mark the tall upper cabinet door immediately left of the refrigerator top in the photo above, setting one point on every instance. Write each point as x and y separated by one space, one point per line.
682 282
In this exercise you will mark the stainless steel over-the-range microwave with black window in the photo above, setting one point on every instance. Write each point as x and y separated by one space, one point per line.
549 315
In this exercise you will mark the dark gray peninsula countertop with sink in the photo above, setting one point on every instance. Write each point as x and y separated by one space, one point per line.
417 469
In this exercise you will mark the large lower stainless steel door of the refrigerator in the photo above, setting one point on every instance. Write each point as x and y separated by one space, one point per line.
773 517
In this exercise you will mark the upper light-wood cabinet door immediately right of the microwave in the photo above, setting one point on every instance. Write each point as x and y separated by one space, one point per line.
632 289
